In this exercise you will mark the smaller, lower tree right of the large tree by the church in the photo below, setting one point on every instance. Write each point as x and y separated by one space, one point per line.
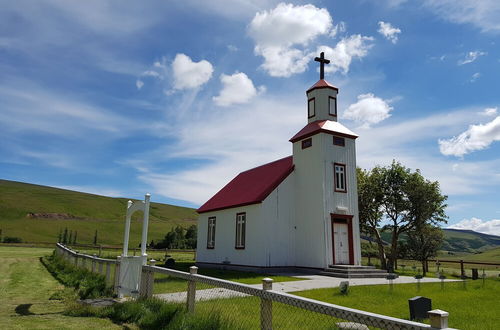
423 243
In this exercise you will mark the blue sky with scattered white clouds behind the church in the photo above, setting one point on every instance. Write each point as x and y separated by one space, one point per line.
175 98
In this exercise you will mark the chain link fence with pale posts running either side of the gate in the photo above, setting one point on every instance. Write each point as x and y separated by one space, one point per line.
242 306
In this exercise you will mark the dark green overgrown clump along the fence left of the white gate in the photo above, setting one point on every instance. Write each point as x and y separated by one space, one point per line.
87 285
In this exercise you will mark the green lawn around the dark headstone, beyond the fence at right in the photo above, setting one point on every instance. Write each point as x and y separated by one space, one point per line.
476 305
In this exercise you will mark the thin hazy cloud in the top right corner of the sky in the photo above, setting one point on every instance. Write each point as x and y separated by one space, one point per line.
482 14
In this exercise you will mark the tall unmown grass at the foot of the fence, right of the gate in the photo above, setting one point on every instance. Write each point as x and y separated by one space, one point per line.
152 314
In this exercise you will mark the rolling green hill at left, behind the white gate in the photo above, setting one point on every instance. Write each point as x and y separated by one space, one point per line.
38 213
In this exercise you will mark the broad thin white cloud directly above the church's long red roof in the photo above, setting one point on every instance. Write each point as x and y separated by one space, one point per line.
225 143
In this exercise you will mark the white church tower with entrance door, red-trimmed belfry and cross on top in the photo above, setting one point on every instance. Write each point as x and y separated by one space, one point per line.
326 199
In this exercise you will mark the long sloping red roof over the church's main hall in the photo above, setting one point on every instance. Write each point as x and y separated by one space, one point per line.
250 187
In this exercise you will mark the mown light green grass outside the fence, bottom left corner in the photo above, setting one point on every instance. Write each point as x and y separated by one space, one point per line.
25 288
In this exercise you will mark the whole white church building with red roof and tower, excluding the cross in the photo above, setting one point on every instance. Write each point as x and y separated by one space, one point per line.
300 211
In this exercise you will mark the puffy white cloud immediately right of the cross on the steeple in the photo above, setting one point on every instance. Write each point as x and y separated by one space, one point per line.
347 49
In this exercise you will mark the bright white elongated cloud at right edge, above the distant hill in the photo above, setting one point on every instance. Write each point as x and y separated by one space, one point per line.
477 137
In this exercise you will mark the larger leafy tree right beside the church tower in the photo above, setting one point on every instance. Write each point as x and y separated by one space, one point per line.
403 199
